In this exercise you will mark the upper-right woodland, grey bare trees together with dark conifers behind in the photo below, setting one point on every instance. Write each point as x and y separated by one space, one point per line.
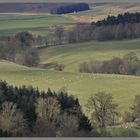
125 26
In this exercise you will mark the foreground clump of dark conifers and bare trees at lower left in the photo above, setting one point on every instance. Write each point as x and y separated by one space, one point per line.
25 111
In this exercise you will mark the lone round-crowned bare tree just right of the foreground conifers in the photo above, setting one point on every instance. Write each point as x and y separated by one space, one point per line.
104 111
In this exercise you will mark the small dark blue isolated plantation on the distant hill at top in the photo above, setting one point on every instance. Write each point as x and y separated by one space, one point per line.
70 8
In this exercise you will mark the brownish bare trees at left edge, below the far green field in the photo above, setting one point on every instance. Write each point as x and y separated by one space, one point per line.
21 48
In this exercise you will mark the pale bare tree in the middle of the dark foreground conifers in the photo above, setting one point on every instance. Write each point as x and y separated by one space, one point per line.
48 111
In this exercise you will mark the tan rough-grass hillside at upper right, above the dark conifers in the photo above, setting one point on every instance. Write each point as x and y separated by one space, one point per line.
102 10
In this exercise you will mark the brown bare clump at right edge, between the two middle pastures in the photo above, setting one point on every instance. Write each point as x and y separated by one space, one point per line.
128 65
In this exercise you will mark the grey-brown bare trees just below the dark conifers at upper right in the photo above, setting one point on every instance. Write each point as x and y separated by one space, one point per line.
85 32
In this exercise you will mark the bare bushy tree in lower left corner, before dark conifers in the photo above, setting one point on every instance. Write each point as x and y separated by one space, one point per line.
11 118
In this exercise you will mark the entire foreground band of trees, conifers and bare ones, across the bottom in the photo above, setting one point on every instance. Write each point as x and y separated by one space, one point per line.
26 111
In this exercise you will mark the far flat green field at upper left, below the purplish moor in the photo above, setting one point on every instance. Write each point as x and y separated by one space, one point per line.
36 24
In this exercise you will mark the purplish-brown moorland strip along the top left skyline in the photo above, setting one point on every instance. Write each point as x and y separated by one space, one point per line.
31 7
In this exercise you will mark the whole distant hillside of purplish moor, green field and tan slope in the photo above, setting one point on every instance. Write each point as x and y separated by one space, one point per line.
35 18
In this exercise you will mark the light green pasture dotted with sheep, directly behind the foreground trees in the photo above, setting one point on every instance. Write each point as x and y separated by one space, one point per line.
82 86
